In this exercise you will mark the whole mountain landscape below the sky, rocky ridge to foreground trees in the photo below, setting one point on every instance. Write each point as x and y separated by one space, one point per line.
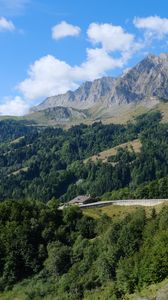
111 151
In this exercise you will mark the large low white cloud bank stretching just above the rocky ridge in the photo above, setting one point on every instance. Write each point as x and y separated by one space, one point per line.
50 76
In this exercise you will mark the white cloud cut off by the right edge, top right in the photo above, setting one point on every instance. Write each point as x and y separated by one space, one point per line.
154 26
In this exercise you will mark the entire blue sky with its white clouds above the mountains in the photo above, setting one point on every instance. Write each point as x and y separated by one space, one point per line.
48 47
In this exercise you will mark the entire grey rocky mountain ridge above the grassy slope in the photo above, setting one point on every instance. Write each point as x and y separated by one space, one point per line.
148 80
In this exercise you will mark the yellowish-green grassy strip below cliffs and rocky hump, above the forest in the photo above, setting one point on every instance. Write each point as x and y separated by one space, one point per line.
116 114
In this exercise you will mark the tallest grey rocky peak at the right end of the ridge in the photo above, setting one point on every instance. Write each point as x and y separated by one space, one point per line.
146 80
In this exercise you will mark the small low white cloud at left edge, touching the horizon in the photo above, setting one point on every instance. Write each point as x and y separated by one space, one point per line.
13 107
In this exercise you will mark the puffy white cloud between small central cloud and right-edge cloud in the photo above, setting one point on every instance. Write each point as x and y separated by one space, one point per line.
112 38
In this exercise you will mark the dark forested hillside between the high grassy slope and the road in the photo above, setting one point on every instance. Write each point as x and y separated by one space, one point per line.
42 163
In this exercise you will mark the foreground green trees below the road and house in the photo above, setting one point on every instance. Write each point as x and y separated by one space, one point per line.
68 255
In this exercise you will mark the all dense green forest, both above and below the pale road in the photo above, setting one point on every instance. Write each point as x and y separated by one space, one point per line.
53 254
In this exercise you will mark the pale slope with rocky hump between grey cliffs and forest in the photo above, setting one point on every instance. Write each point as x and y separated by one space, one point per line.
117 114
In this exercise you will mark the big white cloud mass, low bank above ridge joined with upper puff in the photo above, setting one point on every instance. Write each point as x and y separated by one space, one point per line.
50 76
